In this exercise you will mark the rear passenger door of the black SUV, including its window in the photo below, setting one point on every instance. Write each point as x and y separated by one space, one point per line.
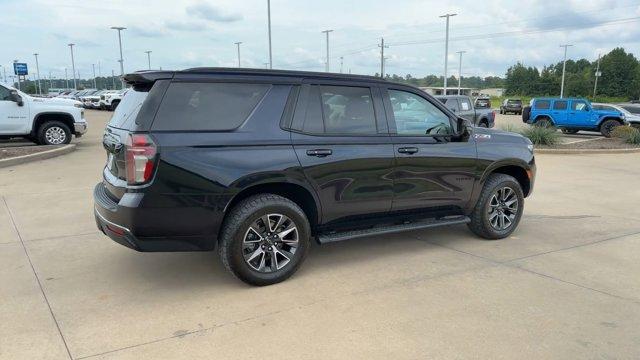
342 142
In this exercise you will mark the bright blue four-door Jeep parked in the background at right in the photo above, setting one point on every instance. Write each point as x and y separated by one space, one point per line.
571 115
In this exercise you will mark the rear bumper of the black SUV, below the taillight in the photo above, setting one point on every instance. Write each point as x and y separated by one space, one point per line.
129 223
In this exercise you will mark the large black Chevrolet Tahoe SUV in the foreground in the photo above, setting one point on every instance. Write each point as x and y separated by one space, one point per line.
257 163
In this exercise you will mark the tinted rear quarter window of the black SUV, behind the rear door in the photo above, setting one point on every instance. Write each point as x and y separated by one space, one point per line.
207 106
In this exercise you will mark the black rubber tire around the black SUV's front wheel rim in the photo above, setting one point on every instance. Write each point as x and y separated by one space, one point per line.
481 217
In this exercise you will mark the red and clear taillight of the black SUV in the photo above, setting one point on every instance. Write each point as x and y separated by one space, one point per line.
140 159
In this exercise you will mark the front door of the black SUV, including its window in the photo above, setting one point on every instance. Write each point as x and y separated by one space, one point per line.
431 170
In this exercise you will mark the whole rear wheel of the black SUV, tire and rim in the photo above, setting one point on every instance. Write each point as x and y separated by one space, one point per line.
264 239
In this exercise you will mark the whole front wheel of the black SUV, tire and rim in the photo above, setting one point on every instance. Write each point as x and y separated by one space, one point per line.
499 209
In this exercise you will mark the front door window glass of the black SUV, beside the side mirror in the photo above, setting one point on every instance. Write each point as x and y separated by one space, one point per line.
414 115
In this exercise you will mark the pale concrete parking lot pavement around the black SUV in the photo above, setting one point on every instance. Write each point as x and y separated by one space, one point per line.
565 285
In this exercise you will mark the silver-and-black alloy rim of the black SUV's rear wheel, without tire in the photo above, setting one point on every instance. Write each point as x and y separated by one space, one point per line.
270 243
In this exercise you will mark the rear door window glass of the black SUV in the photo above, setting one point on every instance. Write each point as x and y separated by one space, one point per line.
347 110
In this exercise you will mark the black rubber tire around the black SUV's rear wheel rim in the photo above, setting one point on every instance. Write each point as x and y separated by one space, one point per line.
236 228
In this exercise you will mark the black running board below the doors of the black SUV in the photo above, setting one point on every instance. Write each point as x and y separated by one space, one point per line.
389 229
